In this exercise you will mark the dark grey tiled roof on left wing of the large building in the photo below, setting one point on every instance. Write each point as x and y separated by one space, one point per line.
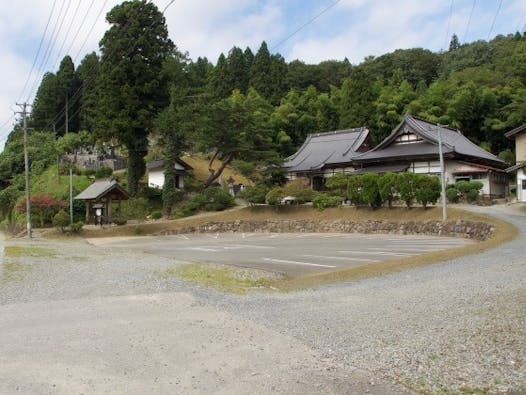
323 149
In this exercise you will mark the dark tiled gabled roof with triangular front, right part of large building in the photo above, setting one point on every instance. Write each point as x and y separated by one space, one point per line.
454 143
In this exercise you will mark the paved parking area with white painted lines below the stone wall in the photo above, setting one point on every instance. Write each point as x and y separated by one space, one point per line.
292 254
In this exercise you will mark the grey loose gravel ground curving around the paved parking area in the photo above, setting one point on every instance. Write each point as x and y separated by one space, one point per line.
453 326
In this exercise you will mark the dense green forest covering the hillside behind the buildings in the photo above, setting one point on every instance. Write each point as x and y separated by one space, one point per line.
251 108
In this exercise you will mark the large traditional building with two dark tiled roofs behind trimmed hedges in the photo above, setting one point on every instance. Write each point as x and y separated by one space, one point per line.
412 146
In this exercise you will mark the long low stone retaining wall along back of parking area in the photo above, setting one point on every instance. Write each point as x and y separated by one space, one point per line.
466 229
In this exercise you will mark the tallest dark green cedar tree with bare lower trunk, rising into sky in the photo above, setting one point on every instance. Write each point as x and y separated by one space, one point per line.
131 87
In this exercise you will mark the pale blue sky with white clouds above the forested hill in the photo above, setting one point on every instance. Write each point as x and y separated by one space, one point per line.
36 34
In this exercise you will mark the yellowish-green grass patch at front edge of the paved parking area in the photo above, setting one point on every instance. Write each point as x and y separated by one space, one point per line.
223 278
